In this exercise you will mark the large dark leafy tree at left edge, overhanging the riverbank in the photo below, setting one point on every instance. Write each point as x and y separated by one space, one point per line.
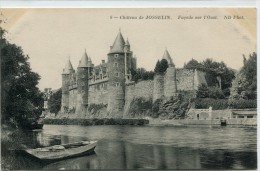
21 100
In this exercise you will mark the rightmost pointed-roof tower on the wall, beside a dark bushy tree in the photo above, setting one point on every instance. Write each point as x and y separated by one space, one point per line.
170 84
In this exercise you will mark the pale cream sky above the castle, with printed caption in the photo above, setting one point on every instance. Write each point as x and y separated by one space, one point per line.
51 36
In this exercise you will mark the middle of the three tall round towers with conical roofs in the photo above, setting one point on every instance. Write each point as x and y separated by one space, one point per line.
83 71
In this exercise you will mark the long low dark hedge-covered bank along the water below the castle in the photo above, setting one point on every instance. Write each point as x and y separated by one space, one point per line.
89 122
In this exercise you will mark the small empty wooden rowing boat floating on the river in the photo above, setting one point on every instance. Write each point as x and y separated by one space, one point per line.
59 152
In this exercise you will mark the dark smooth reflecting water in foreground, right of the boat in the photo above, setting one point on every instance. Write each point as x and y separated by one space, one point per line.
121 155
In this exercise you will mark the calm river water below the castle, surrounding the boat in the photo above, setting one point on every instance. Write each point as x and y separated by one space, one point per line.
153 147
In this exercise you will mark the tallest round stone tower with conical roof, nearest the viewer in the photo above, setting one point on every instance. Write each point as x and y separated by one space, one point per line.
117 68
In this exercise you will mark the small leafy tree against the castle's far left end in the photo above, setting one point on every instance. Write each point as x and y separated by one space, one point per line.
54 102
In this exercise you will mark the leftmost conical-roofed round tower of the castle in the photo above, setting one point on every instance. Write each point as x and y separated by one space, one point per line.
66 75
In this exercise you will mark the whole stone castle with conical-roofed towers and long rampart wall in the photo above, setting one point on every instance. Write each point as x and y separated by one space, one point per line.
110 83
